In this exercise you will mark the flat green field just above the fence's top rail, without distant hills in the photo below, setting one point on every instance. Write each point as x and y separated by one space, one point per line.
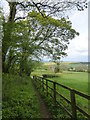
76 80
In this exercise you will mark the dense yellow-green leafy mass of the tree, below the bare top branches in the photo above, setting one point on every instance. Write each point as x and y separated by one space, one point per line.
33 38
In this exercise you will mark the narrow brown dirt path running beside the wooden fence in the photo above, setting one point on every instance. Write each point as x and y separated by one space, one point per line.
43 108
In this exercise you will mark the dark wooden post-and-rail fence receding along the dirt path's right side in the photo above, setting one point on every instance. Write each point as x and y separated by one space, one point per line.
44 83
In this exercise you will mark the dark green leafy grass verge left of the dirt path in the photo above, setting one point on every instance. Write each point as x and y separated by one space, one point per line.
19 98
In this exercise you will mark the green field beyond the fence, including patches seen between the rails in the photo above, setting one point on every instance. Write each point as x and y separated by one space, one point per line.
75 80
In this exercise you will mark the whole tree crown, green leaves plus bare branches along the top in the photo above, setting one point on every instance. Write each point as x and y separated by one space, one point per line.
36 34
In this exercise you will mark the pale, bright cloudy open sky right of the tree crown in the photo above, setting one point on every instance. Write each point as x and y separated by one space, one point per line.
78 47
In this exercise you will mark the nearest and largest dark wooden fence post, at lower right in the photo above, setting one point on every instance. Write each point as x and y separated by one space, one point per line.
73 105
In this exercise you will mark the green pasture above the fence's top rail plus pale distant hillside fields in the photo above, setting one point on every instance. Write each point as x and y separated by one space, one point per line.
76 80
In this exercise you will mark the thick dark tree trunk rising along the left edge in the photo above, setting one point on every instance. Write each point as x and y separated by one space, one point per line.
7 33
